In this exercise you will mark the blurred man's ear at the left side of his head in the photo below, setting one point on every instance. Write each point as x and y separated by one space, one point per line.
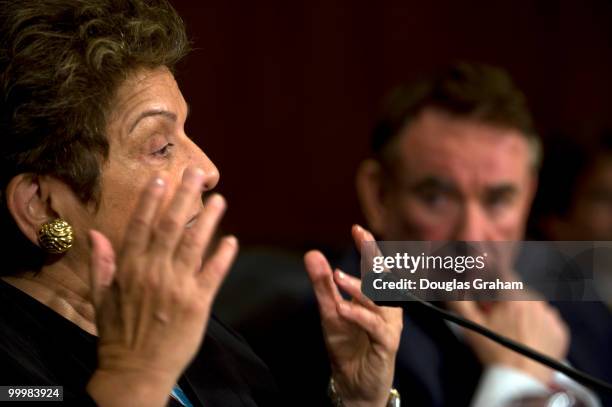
370 191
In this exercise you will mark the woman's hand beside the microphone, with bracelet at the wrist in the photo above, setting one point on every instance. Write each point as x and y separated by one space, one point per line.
362 338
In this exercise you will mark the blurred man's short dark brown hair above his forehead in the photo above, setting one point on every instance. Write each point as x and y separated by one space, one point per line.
476 91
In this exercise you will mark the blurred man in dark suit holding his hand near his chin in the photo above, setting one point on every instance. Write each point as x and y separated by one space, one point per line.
455 157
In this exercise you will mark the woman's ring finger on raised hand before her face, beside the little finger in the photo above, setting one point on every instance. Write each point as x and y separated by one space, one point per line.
196 239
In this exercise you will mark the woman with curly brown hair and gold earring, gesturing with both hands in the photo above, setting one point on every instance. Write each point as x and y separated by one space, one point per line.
104 289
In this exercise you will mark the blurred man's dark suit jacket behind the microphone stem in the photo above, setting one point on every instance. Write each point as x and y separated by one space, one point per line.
435 368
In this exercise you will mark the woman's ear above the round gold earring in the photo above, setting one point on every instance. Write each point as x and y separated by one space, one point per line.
28 201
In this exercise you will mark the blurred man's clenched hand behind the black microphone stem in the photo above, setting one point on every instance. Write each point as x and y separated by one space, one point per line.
533 323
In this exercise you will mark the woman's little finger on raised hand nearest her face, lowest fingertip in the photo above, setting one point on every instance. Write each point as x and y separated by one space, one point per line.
217 266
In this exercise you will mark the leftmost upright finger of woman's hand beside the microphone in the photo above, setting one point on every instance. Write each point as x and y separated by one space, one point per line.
325 289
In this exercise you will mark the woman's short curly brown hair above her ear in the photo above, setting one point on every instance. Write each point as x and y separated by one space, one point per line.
61 63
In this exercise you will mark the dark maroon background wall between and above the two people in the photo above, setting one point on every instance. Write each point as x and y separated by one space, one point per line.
283 94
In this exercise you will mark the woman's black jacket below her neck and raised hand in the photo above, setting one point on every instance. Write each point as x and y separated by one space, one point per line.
40 347
